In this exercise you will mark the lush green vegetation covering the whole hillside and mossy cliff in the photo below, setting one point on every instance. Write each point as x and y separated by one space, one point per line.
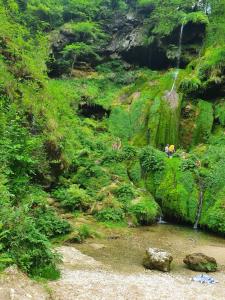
90 139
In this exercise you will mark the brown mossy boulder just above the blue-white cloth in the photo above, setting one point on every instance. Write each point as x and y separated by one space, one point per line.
200 262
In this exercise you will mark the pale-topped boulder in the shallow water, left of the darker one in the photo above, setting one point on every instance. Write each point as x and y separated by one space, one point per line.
157 259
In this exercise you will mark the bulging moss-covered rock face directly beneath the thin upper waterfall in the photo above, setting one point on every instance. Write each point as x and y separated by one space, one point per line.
150 109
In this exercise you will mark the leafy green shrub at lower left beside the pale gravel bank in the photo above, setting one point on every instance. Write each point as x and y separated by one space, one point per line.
27 247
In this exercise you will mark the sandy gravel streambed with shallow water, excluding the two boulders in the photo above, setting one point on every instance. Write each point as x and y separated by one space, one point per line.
111 268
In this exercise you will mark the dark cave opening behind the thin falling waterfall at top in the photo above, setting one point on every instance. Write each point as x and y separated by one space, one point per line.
154 56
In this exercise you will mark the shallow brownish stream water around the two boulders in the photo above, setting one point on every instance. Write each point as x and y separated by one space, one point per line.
124 252
